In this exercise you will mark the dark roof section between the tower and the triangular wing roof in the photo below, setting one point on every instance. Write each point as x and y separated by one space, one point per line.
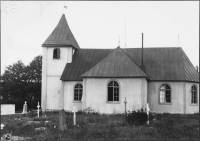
83 60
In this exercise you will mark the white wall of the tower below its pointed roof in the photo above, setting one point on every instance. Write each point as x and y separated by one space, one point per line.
51 72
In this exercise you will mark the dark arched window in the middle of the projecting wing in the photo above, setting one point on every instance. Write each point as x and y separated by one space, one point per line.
113 91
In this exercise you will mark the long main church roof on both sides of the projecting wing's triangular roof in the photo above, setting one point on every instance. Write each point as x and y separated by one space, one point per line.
162 64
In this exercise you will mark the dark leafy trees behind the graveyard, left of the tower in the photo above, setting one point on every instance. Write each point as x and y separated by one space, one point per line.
21 83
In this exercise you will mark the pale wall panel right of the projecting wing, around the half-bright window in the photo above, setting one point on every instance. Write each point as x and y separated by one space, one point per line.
177 97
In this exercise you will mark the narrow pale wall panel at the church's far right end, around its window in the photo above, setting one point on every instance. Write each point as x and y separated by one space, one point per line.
191 108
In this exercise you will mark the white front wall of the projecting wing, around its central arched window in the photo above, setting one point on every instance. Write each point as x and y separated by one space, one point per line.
95 94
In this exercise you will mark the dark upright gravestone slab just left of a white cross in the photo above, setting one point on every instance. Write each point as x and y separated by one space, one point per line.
62 120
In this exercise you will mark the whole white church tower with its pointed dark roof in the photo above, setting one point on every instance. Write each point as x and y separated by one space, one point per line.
58 50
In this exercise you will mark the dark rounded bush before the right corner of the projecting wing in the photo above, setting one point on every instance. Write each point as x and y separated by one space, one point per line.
138 117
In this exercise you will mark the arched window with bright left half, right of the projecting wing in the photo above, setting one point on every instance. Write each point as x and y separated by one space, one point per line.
165 94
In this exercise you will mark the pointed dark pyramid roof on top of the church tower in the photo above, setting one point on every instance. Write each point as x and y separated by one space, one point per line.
61 36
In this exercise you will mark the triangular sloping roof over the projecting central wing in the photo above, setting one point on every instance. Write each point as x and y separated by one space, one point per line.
116 64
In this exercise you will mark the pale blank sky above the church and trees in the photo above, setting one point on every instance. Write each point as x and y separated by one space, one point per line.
25 25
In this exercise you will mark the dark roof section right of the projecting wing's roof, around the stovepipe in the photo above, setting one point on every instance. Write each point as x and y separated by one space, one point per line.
167 64
